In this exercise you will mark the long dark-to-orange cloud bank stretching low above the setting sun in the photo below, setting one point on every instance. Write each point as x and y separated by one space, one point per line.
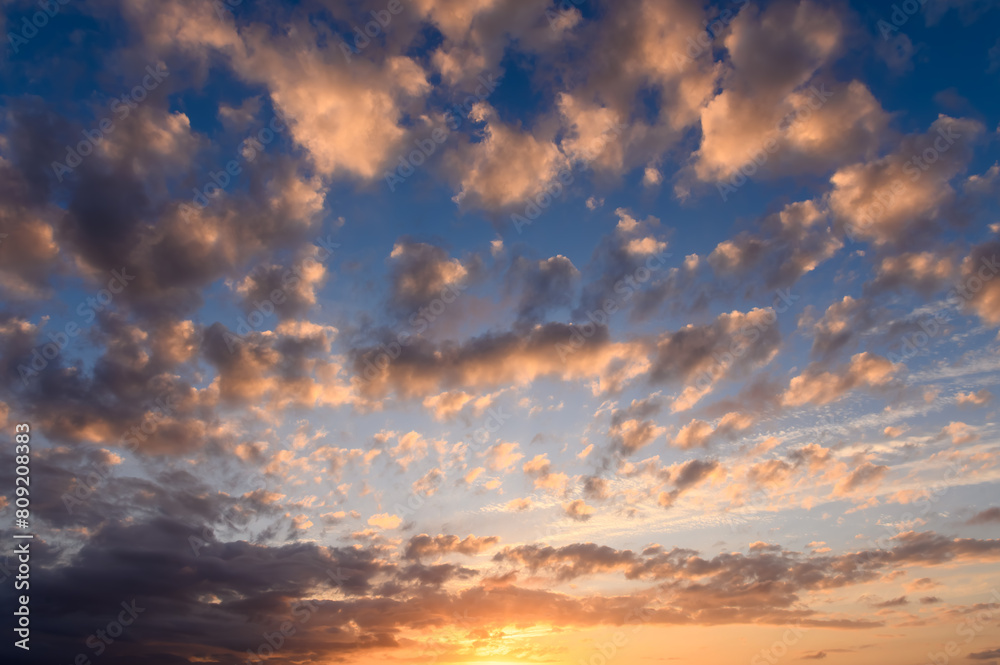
258 585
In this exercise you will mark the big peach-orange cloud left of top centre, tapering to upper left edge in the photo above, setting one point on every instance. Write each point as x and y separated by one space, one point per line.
352 123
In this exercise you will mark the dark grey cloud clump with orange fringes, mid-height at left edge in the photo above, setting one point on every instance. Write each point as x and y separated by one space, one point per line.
133 398
